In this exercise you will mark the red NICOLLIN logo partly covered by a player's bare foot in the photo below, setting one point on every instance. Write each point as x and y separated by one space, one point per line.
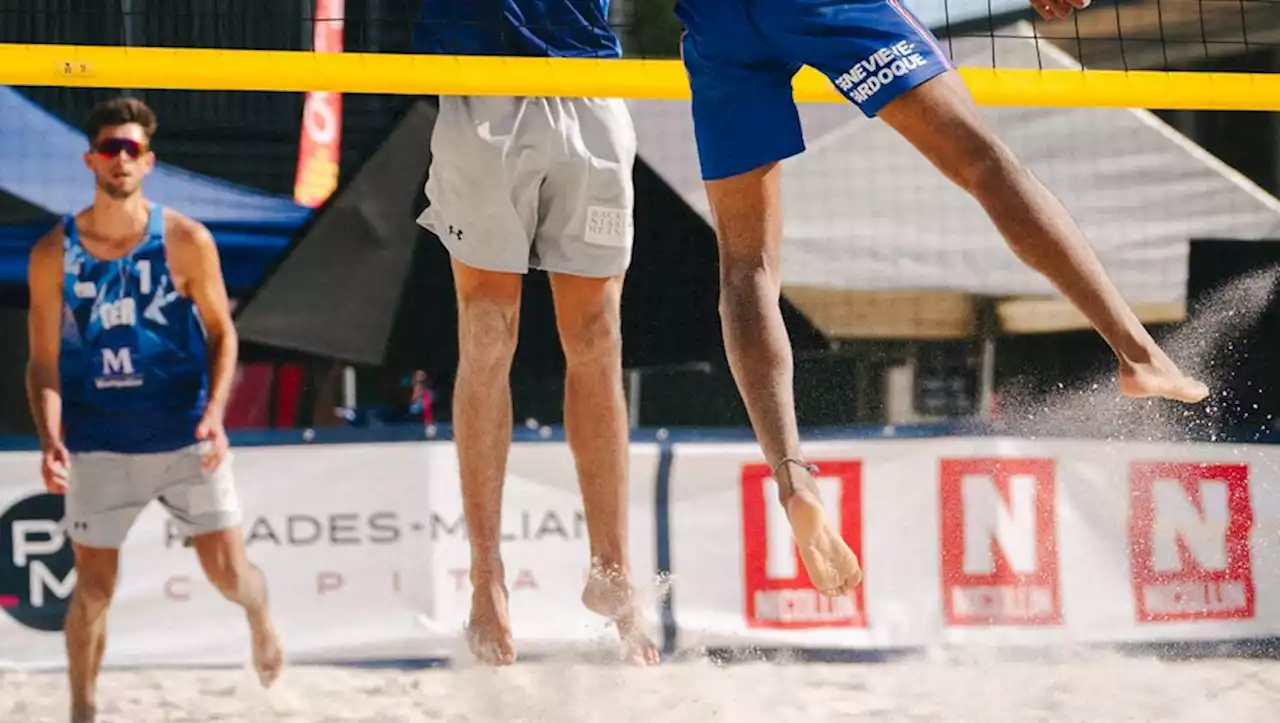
779 592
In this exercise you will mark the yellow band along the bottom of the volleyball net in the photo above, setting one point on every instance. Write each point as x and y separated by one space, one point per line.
446 75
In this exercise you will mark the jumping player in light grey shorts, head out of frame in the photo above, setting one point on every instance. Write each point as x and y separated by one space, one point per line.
520 184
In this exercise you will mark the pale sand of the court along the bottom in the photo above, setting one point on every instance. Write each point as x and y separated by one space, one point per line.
1085 689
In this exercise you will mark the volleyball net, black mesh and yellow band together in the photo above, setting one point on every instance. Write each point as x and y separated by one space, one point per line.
1133 54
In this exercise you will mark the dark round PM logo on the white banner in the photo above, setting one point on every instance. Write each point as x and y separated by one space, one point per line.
38 566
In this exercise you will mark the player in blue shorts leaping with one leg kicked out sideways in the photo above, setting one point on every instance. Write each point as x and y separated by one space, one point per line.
740 57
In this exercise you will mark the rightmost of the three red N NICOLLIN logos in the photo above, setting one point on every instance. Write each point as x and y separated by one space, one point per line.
1190 542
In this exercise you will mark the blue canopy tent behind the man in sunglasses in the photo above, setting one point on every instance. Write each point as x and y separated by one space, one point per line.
40 164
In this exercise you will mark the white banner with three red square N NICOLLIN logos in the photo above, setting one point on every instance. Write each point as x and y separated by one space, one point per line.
985 541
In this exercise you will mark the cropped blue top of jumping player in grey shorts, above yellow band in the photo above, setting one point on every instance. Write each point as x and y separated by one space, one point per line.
557 29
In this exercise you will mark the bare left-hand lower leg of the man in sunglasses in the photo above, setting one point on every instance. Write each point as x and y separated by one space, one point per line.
86 626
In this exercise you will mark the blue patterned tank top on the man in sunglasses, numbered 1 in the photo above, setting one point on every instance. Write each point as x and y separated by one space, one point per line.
134 364
